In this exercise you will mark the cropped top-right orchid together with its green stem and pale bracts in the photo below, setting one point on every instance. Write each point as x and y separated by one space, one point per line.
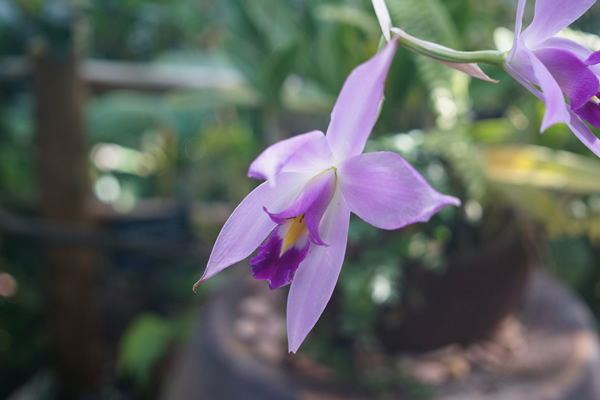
549 67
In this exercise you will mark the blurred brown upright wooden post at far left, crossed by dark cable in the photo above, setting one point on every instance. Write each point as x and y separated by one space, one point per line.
68 271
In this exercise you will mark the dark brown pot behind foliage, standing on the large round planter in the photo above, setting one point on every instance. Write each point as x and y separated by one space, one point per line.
477 290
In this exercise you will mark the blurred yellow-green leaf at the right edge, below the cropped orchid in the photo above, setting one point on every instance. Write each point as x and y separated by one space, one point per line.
550 186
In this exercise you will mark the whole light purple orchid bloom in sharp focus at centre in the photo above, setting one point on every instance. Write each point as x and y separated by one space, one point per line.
313 182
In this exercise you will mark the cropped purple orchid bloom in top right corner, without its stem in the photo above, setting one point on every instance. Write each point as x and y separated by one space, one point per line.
558 67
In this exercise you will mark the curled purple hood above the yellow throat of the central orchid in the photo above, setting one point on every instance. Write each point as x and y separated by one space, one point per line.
312 202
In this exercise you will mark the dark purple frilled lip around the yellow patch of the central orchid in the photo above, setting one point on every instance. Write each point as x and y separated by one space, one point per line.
273 266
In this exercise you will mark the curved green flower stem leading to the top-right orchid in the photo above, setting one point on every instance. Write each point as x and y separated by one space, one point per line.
446 54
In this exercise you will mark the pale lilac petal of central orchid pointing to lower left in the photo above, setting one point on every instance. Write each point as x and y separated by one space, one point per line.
249 225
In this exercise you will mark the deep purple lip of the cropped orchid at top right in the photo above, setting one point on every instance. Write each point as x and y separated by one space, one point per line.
572 75
